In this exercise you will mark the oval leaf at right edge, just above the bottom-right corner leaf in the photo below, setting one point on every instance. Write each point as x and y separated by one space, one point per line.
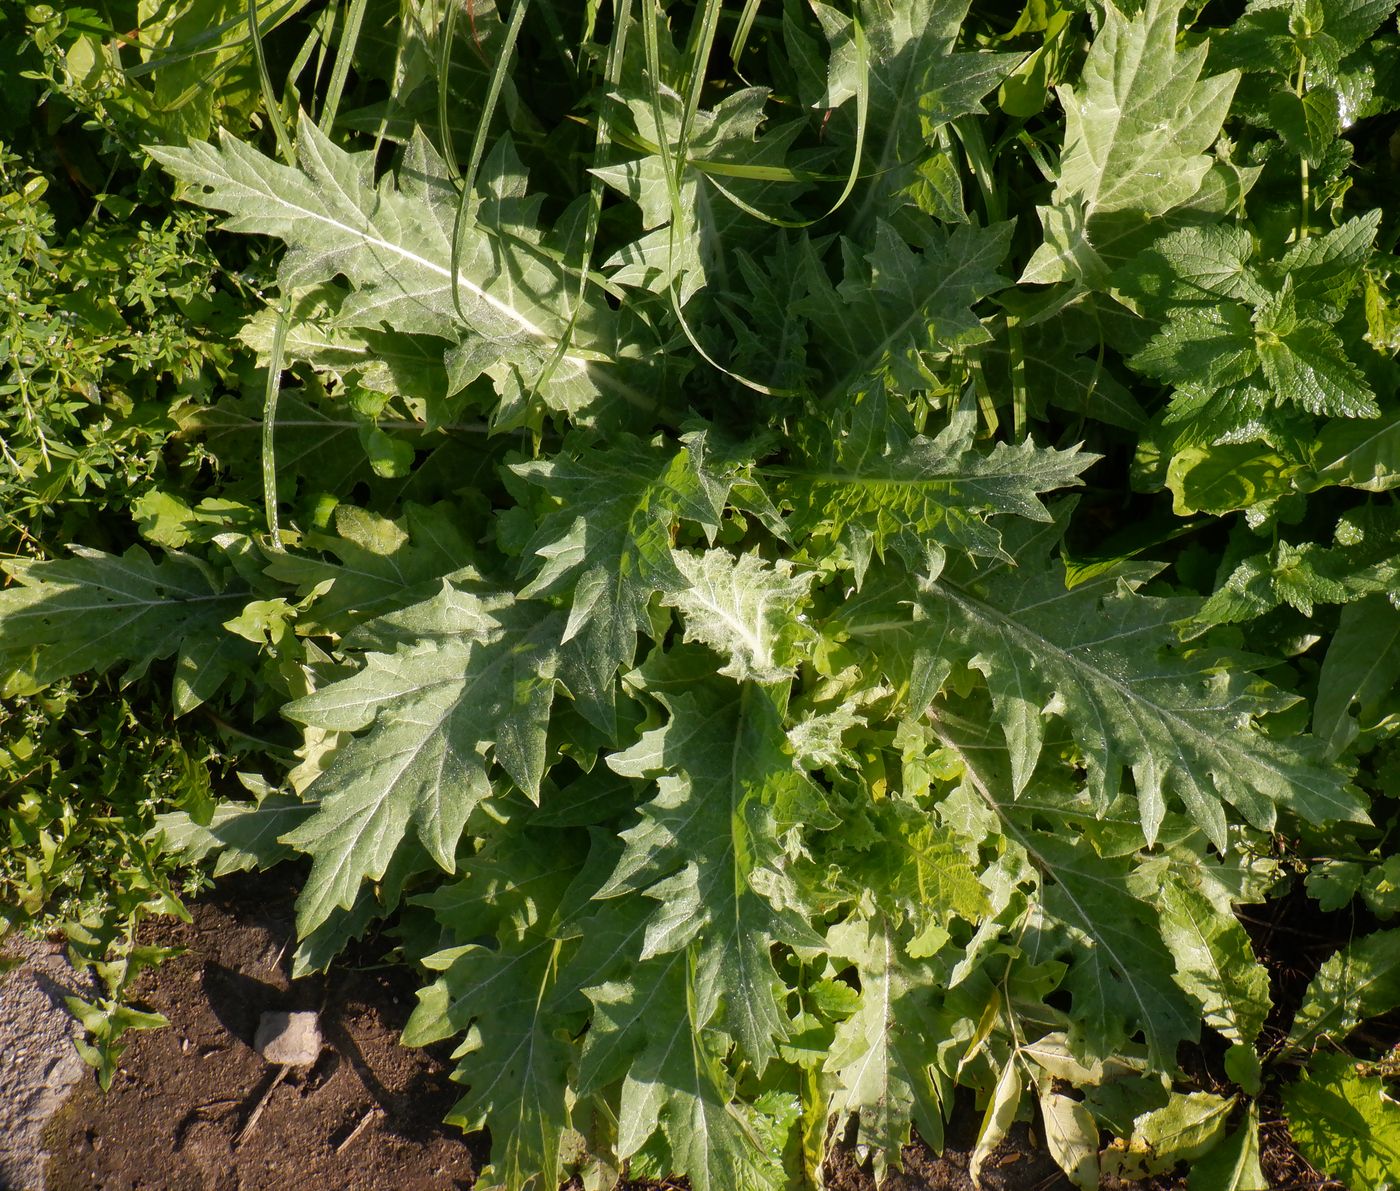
1360 982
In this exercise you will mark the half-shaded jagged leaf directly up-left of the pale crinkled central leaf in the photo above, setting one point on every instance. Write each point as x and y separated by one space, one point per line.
608 541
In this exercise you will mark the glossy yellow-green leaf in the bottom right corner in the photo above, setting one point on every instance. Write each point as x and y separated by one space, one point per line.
1346 1123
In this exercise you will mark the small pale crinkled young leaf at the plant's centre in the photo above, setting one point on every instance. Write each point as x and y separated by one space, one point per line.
745 609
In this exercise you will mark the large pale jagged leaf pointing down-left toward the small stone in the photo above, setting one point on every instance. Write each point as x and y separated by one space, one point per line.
484 682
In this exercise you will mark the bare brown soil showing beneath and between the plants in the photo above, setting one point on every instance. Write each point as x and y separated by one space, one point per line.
197 1109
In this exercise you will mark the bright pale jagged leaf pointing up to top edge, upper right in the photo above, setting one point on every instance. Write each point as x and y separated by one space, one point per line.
1137 132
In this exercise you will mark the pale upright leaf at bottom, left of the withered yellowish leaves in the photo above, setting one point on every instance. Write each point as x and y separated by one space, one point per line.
881 1063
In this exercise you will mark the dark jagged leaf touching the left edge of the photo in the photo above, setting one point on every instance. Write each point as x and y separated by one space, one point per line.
99 611
